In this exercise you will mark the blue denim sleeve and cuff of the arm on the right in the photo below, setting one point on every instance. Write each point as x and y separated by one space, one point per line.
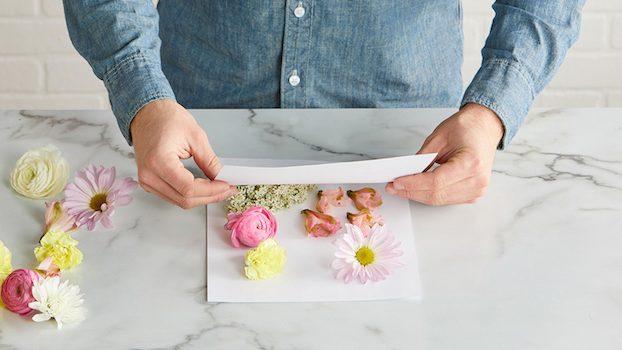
527 43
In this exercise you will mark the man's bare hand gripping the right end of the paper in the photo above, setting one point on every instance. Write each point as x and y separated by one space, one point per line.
466 143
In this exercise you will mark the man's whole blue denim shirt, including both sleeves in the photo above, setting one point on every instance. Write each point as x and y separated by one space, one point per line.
318 53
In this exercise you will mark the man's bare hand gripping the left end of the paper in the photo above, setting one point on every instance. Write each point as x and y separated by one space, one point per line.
163 133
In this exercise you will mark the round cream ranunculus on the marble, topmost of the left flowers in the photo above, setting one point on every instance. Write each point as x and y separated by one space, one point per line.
40 173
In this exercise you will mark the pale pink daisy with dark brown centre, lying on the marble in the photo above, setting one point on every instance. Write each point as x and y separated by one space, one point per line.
95 194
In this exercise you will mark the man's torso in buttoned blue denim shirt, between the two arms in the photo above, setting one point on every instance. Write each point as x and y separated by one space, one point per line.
236 53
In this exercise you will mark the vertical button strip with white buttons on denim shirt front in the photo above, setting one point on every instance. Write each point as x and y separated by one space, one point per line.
294 63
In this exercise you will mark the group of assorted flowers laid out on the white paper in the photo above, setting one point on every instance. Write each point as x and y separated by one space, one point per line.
365 251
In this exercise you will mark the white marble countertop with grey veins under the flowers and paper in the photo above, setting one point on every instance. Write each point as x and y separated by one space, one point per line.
536 264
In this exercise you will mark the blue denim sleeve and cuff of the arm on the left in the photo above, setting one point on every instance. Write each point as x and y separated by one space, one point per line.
120 41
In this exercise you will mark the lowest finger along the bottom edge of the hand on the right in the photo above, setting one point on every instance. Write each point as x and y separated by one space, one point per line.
466 191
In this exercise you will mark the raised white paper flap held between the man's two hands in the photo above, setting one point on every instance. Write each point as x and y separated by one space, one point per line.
356 172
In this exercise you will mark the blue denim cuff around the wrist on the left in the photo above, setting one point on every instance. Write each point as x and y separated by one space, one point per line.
131 84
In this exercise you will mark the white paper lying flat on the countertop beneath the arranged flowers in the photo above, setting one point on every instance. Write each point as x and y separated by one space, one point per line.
307 276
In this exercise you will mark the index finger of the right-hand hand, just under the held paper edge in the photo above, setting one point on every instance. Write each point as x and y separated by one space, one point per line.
453 171
